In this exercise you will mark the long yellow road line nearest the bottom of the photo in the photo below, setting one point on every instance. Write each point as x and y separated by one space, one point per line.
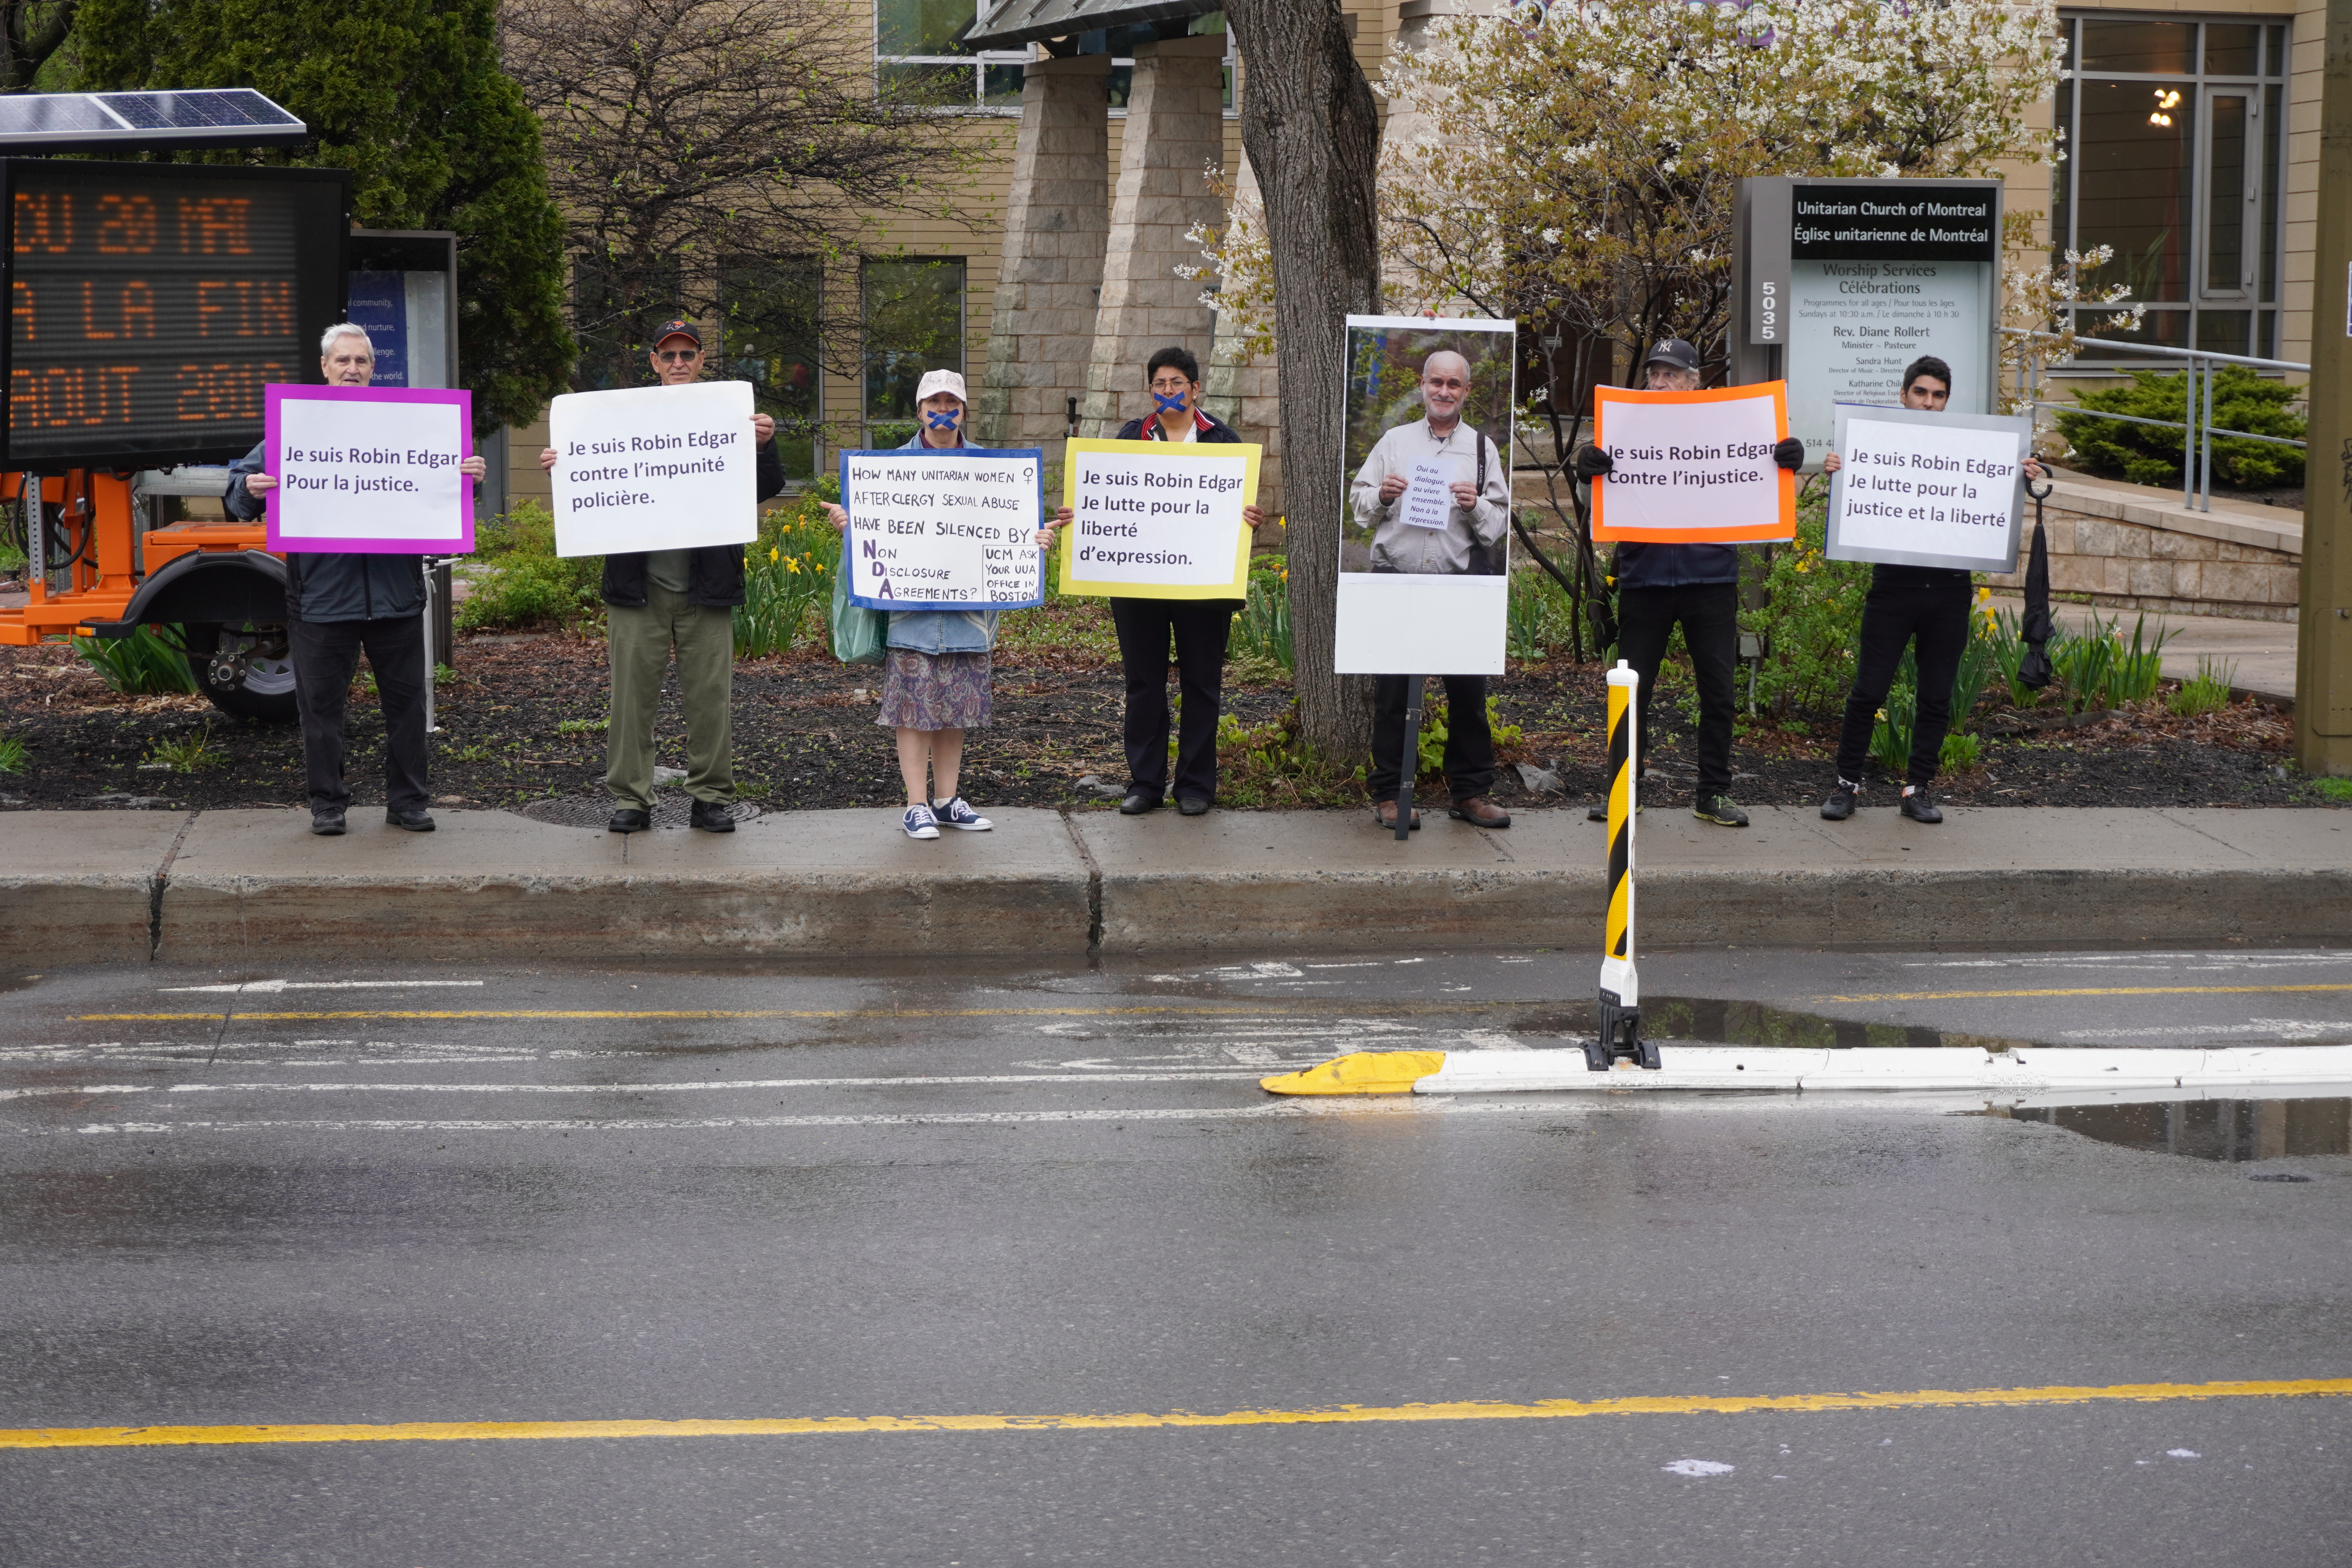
829 1426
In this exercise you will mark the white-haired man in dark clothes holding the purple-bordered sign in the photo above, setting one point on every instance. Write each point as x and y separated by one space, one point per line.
340 605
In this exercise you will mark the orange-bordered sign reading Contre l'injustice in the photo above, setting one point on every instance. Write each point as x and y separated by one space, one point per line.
1692 467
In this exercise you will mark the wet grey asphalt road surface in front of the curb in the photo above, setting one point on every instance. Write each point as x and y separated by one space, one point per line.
512 1195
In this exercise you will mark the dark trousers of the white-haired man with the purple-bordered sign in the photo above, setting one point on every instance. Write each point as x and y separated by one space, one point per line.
326 659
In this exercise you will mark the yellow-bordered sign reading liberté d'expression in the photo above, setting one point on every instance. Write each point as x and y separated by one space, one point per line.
1158 521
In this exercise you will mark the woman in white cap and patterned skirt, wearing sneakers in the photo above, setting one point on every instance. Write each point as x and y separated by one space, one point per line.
935 678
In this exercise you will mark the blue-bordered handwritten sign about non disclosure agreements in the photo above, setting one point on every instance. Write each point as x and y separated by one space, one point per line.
944 530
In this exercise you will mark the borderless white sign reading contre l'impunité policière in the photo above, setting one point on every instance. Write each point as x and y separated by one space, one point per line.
655 469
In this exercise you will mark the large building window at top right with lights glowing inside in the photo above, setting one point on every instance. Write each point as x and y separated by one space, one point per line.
2177 156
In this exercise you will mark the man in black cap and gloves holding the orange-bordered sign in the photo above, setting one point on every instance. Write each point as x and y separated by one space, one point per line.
1690 587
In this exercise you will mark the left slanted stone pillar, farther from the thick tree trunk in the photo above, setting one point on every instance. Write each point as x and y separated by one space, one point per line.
1041 330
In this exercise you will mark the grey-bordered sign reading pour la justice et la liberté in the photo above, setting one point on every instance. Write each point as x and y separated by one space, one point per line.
1927 490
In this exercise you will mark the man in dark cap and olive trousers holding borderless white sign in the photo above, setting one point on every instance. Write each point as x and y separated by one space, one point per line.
662 601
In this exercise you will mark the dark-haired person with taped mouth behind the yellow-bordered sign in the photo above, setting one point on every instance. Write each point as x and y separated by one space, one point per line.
1198 626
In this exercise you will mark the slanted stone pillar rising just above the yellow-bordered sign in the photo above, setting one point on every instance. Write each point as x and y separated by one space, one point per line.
1175 130
